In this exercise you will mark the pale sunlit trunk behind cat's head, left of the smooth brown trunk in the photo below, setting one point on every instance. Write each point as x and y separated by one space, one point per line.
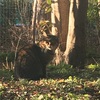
55 29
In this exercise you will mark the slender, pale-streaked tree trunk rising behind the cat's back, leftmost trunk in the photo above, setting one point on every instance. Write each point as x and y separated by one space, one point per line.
37 16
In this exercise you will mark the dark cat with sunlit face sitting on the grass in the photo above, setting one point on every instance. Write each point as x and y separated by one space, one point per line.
31 60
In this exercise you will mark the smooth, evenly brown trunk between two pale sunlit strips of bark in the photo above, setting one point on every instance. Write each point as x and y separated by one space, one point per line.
64 13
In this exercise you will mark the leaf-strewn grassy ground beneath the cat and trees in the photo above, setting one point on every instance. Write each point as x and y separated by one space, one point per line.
63 83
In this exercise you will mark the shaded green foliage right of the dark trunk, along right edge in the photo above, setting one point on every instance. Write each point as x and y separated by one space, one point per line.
93 28
